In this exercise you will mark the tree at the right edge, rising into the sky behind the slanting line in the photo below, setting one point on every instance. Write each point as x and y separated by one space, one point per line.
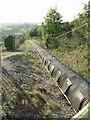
81 27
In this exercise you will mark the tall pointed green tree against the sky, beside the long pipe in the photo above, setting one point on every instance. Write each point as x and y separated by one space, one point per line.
51 26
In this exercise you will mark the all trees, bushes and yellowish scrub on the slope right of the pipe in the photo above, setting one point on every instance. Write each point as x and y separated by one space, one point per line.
66 40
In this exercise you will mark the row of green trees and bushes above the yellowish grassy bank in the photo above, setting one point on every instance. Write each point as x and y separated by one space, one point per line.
54 26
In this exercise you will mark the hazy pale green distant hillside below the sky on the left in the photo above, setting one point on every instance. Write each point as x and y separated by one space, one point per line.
12 28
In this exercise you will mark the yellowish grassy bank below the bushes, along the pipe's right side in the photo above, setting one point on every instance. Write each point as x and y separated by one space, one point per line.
75 59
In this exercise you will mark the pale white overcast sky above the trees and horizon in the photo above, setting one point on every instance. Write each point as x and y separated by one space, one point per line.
22 11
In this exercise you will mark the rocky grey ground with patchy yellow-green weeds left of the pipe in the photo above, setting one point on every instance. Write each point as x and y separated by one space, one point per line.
29 91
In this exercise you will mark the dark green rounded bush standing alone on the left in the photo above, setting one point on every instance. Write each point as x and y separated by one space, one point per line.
9 42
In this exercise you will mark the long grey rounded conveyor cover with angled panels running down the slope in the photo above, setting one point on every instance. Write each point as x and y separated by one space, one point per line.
73 86
